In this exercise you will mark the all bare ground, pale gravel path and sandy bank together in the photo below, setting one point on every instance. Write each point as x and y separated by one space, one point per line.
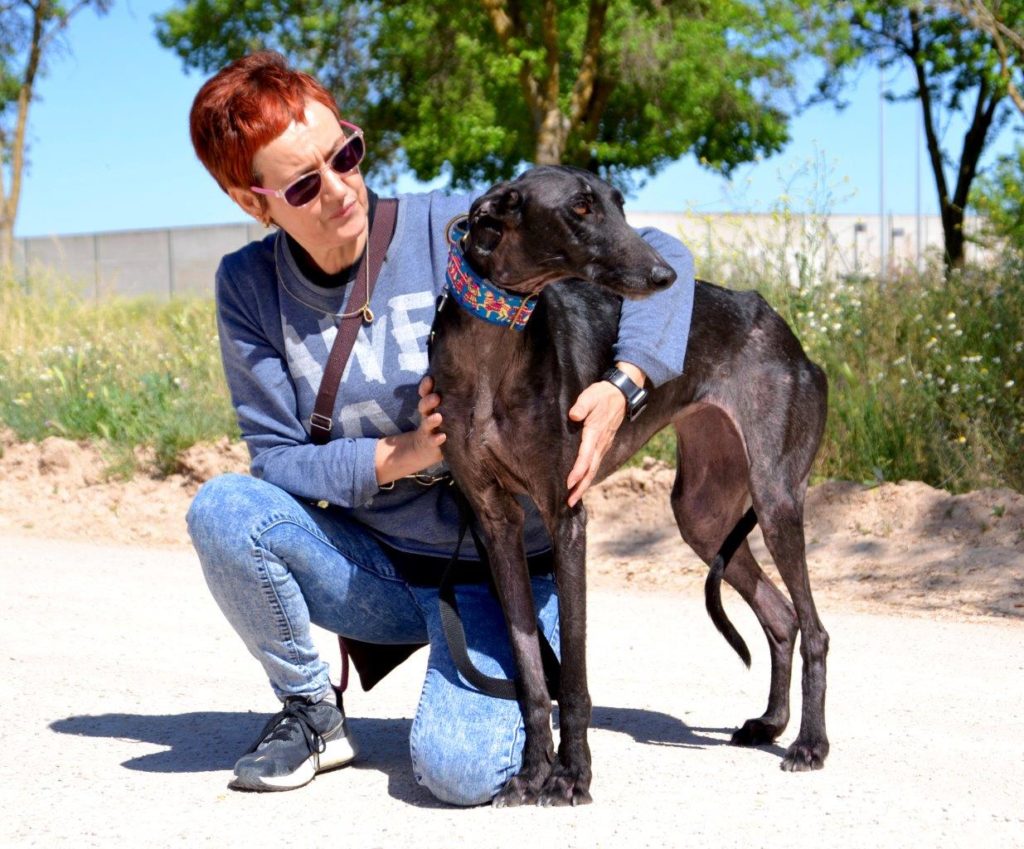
156 699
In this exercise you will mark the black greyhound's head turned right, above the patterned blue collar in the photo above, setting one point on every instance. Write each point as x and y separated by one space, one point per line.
553 224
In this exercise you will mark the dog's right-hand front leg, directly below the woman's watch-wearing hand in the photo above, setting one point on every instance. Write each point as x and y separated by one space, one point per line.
570 781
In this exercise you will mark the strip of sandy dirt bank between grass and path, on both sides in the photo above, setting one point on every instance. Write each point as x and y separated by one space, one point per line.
904 546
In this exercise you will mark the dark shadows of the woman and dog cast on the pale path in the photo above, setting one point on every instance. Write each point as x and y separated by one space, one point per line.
212 741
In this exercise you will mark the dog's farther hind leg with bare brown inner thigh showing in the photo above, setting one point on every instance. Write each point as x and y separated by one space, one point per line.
708 499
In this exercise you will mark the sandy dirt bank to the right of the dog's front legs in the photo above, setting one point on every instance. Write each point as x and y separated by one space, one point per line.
904 545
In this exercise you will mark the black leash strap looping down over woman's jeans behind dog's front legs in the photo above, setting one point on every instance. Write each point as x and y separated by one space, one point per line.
455 634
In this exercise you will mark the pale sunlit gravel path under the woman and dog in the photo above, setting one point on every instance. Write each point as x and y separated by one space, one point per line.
127 700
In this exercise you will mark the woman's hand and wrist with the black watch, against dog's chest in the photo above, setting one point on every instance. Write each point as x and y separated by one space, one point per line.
602 408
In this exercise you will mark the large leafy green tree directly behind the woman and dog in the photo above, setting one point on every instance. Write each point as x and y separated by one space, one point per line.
476 89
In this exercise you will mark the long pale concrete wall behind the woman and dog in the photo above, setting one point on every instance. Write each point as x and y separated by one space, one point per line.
182 262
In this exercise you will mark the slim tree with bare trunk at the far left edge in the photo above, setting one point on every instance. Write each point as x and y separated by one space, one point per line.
29 32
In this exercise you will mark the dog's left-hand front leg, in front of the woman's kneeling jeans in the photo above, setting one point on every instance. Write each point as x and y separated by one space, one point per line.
502 525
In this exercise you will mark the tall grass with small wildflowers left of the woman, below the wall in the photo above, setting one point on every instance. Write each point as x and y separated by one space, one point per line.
125 372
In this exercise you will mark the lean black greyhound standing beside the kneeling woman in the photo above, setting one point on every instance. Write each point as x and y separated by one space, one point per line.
749 414
